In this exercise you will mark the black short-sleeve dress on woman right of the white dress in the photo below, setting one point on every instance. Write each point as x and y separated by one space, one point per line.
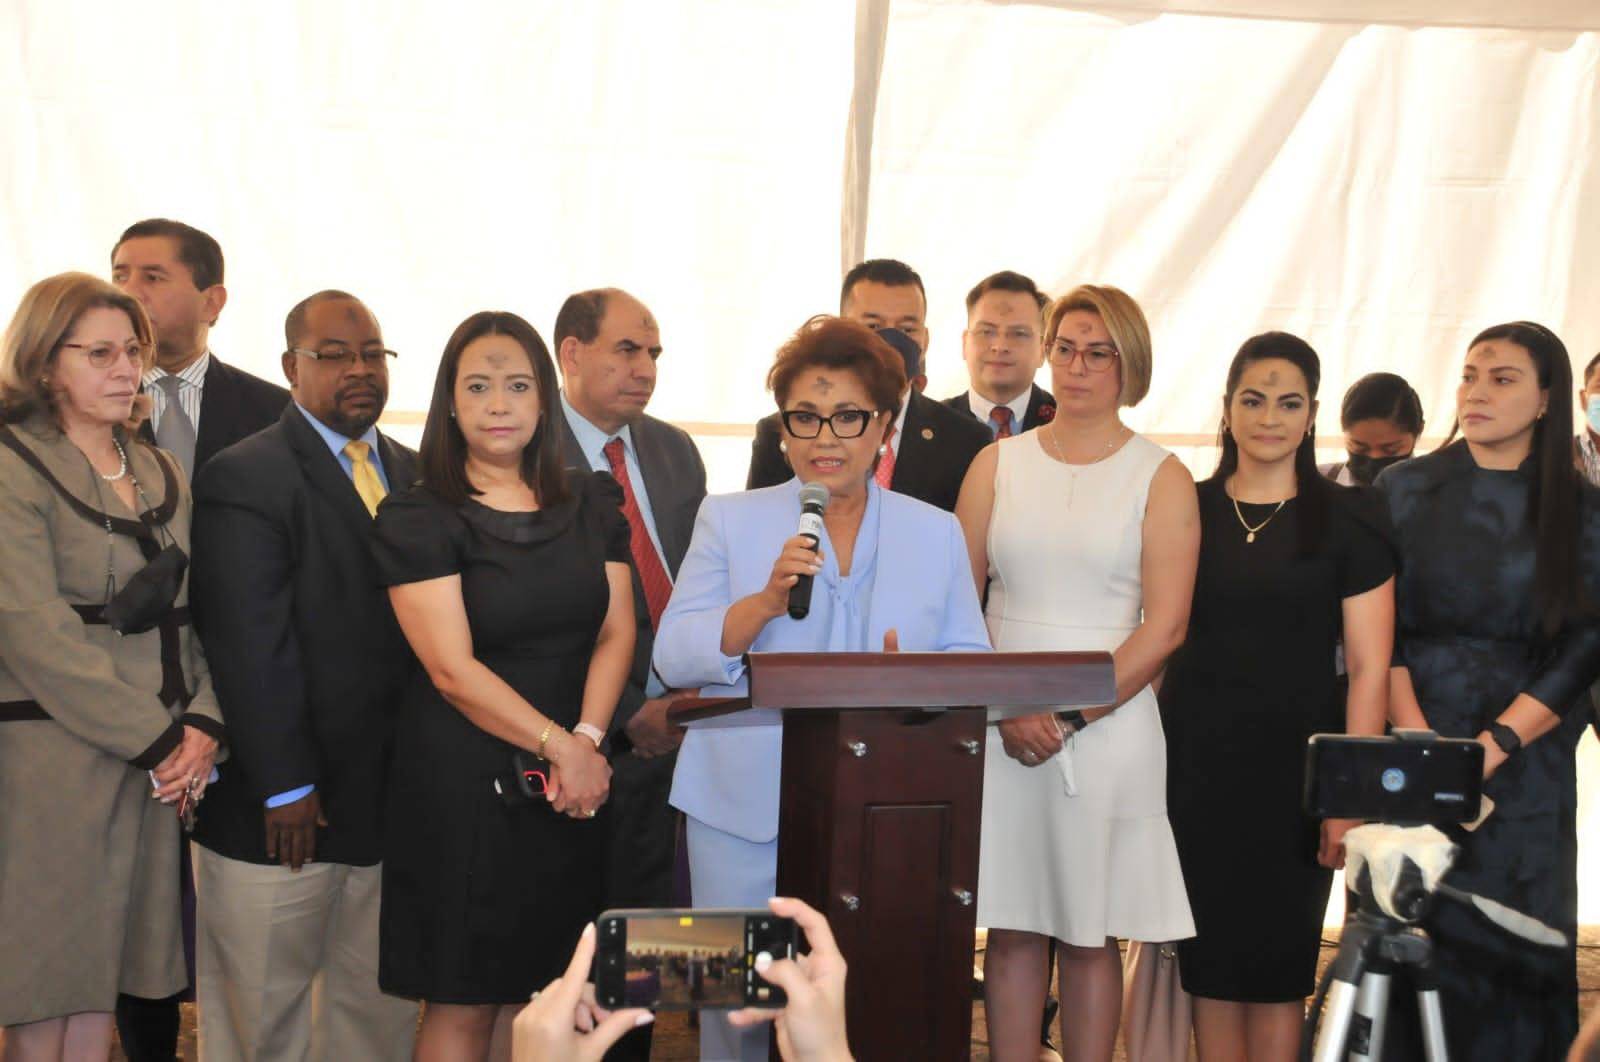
1252 682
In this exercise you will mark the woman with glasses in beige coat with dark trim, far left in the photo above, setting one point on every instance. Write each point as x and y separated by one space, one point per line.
94 724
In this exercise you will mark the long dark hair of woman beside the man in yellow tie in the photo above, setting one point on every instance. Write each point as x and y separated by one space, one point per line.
444 455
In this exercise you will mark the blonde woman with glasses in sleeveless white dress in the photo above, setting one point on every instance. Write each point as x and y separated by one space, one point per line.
1087 537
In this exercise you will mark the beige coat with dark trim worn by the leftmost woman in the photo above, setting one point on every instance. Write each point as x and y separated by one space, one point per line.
89 861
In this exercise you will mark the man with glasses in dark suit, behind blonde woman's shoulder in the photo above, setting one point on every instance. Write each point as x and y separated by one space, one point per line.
1004 351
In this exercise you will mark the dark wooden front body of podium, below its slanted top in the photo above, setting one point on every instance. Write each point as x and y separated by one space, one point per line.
879 824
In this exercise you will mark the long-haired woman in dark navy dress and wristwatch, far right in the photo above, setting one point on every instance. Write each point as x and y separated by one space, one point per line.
1497 641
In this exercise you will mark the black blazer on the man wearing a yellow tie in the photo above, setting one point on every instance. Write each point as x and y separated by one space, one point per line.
306 657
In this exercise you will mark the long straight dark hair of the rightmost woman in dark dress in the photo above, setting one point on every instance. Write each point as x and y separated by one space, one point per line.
1553 503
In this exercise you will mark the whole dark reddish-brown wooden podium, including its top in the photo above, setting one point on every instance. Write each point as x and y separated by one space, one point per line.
881 812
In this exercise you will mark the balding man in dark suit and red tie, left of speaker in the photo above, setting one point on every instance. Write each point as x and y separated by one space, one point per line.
607 345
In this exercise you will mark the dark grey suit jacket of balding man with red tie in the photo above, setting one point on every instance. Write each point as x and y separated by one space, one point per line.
676 485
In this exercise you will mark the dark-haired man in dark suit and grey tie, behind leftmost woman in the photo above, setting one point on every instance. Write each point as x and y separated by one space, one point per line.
199 407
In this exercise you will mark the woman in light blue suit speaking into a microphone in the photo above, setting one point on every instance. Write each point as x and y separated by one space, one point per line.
889 572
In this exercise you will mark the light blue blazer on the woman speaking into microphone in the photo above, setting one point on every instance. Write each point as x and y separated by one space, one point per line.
910 573
